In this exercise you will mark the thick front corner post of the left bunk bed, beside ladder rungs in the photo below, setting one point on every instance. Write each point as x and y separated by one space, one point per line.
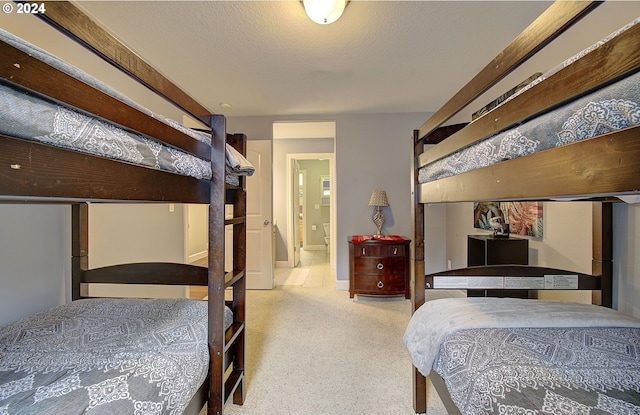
216 267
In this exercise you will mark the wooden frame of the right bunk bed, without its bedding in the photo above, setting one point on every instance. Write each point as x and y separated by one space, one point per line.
596 169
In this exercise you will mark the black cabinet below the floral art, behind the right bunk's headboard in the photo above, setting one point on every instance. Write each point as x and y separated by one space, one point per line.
487 250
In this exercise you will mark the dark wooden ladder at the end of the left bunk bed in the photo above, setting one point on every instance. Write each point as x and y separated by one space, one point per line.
224 345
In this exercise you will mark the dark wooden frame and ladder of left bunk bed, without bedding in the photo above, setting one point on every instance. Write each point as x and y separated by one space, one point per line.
34 173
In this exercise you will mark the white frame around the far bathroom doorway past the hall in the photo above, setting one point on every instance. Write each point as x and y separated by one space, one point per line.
332 207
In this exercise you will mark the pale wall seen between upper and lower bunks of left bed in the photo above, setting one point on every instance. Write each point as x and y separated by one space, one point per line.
35 251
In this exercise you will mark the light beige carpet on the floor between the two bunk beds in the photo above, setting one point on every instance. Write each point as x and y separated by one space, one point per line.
313 351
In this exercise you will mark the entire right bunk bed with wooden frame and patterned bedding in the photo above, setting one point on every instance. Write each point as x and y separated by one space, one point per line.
450 340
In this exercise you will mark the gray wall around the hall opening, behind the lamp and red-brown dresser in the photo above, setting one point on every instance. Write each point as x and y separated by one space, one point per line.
373 151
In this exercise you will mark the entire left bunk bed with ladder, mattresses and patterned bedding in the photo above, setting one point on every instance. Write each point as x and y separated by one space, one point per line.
97 146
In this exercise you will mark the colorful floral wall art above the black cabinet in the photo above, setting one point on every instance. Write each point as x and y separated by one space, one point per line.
524 218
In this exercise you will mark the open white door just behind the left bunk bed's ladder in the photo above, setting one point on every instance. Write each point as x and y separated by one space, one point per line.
260 273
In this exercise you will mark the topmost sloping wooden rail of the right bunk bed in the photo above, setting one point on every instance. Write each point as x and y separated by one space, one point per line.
555 20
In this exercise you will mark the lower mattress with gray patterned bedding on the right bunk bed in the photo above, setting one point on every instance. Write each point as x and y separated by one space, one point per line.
518 356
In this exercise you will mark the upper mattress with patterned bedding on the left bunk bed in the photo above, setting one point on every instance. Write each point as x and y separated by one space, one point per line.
27 116
